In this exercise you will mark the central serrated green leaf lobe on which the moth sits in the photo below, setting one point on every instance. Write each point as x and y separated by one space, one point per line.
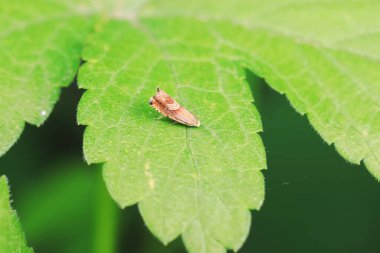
198 182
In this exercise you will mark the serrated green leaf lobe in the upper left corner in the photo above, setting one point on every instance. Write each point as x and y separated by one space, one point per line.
40 46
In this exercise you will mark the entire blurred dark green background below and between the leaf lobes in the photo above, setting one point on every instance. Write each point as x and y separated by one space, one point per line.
315 201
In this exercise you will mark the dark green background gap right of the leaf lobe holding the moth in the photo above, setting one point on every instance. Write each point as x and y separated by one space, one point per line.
315 200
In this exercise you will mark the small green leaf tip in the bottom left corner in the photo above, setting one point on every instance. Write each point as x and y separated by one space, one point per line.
12 238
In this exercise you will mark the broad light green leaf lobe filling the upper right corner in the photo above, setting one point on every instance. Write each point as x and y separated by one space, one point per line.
323 55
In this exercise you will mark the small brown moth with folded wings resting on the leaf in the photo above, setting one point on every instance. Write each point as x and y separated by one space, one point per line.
167 106
